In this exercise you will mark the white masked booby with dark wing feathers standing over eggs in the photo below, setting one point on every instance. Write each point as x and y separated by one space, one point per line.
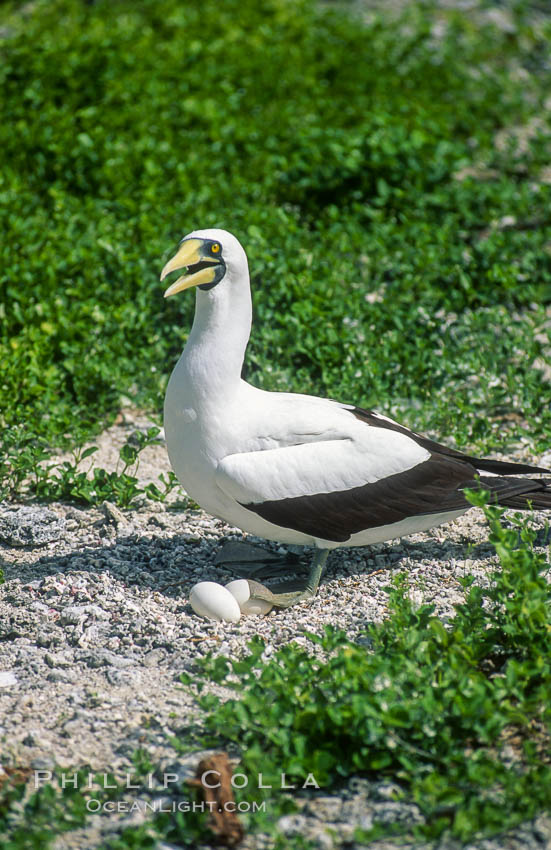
296 468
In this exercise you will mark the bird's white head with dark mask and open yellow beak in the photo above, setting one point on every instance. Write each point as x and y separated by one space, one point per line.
208 256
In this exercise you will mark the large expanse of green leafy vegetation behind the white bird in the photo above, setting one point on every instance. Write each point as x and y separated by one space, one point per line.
395 216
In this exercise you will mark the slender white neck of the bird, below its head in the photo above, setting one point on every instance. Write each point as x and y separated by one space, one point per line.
214 353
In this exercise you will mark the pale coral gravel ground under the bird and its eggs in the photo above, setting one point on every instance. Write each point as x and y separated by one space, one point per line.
96 628
